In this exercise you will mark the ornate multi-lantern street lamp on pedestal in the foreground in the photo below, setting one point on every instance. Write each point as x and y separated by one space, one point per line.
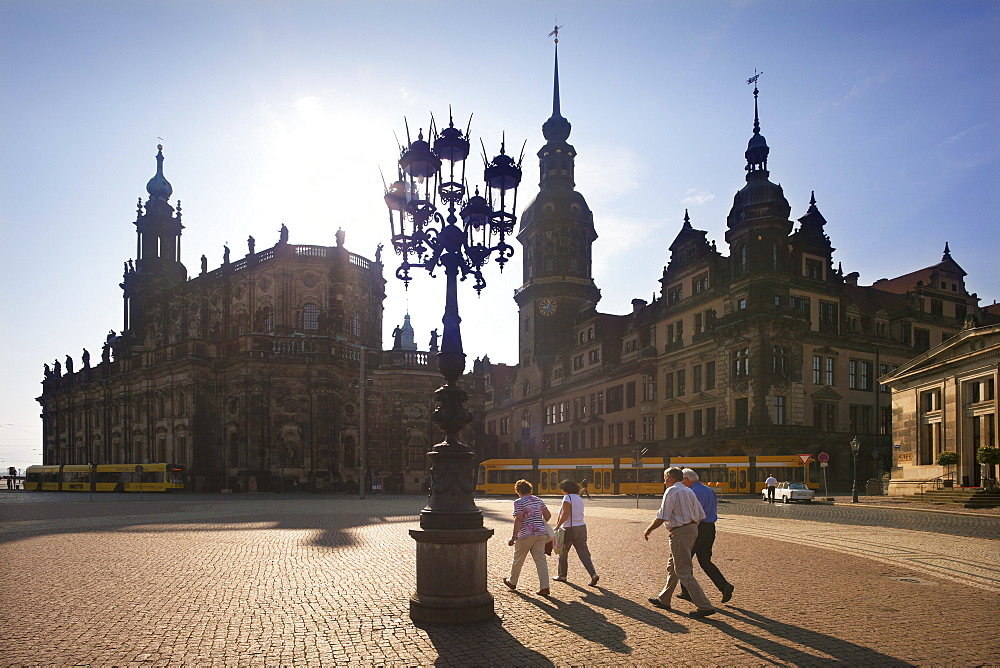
451 541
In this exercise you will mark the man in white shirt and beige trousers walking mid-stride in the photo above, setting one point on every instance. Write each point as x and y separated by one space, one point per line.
680 511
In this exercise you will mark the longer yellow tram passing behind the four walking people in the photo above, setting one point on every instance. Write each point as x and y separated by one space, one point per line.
744 474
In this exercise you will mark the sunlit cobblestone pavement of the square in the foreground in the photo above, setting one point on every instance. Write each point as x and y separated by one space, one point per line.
282 580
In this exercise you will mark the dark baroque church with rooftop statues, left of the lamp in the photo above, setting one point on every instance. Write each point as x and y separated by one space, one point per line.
249 375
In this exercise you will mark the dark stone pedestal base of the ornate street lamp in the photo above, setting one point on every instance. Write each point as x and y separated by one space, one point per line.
451 577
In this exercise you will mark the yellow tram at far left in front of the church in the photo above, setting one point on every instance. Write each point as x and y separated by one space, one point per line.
105 478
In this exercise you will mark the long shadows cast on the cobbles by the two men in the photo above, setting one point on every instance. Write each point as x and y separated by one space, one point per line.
840 651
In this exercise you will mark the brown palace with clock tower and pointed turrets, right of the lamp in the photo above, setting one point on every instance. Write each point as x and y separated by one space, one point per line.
764 347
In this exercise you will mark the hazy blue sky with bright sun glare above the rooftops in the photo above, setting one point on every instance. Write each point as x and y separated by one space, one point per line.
283 112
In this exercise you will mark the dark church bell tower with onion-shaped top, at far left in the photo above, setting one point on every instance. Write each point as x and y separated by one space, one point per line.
157 265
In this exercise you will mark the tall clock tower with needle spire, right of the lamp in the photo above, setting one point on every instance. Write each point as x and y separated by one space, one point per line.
556 234
